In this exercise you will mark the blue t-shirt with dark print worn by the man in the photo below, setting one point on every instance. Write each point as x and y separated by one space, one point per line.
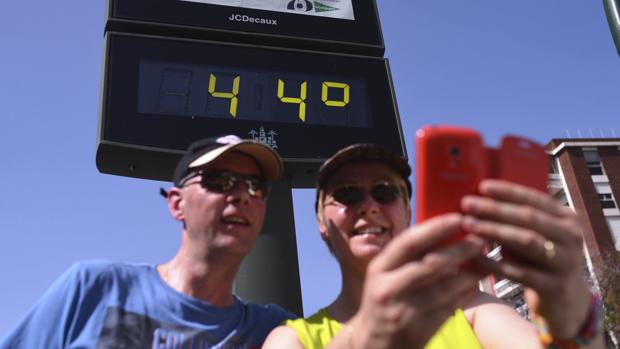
112 305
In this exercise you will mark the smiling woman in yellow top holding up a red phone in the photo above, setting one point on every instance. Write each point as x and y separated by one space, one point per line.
403 288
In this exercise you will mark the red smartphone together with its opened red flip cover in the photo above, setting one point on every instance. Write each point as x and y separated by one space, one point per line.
451 162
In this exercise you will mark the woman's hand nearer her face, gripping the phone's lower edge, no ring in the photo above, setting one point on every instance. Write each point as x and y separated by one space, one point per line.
413 286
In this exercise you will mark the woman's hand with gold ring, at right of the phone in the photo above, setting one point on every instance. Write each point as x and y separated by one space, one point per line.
542 248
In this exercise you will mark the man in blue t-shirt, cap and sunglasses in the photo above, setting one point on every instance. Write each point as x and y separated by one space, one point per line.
219 196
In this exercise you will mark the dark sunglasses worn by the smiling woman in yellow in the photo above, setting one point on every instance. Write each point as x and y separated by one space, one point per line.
349 195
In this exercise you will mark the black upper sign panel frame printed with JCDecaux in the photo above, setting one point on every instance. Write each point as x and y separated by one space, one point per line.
196 20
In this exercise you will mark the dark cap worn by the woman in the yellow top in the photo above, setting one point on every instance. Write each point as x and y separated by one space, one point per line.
359 153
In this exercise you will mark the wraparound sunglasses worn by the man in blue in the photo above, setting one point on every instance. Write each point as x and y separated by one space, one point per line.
224 182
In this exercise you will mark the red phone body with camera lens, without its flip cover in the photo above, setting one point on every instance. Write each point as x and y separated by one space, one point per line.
450 163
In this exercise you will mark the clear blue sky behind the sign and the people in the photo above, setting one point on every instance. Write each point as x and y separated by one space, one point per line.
543 69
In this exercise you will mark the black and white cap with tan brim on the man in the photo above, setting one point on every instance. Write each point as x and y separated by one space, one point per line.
205 151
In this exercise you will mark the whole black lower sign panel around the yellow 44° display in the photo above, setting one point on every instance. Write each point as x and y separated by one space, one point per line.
159 95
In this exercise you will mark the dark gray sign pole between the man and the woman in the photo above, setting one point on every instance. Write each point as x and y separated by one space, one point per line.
270 274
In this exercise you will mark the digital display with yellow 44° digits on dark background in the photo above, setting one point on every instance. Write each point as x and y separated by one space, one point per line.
220 91
